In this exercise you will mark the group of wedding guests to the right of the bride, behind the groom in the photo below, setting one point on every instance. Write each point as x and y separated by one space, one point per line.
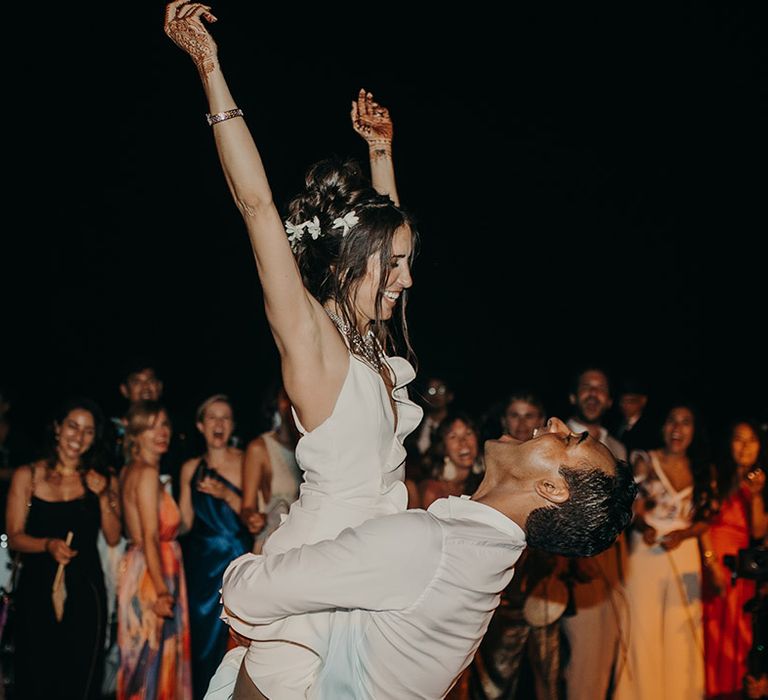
658 615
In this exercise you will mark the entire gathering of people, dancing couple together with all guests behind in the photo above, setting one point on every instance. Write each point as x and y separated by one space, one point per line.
127 541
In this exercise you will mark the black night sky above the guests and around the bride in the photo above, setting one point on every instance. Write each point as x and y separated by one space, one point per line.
589 185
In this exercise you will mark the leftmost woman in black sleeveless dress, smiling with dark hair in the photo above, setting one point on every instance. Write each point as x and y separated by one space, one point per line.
48 499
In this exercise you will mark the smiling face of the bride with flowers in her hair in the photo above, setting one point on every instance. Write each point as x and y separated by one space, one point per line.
398 278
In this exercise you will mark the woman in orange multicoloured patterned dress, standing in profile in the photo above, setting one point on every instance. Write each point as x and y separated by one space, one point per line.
153 624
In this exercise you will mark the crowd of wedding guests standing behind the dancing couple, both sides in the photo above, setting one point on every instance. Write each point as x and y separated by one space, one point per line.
664 613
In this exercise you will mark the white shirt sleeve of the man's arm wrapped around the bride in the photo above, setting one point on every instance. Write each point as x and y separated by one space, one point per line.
384 564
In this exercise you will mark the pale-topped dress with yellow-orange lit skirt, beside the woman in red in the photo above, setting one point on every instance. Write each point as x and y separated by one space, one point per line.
665 644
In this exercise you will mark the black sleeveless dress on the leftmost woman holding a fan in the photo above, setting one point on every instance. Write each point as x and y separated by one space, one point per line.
62 660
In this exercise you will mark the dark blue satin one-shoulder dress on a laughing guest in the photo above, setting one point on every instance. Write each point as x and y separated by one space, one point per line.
216 538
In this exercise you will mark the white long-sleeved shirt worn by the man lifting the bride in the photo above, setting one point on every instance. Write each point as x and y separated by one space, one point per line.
412 596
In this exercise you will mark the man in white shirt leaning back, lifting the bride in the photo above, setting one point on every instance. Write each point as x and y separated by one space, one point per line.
414 592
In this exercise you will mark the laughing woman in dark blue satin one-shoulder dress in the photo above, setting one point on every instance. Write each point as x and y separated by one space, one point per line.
210 503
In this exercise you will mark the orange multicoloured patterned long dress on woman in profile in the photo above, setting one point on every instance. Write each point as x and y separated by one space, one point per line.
154 651
